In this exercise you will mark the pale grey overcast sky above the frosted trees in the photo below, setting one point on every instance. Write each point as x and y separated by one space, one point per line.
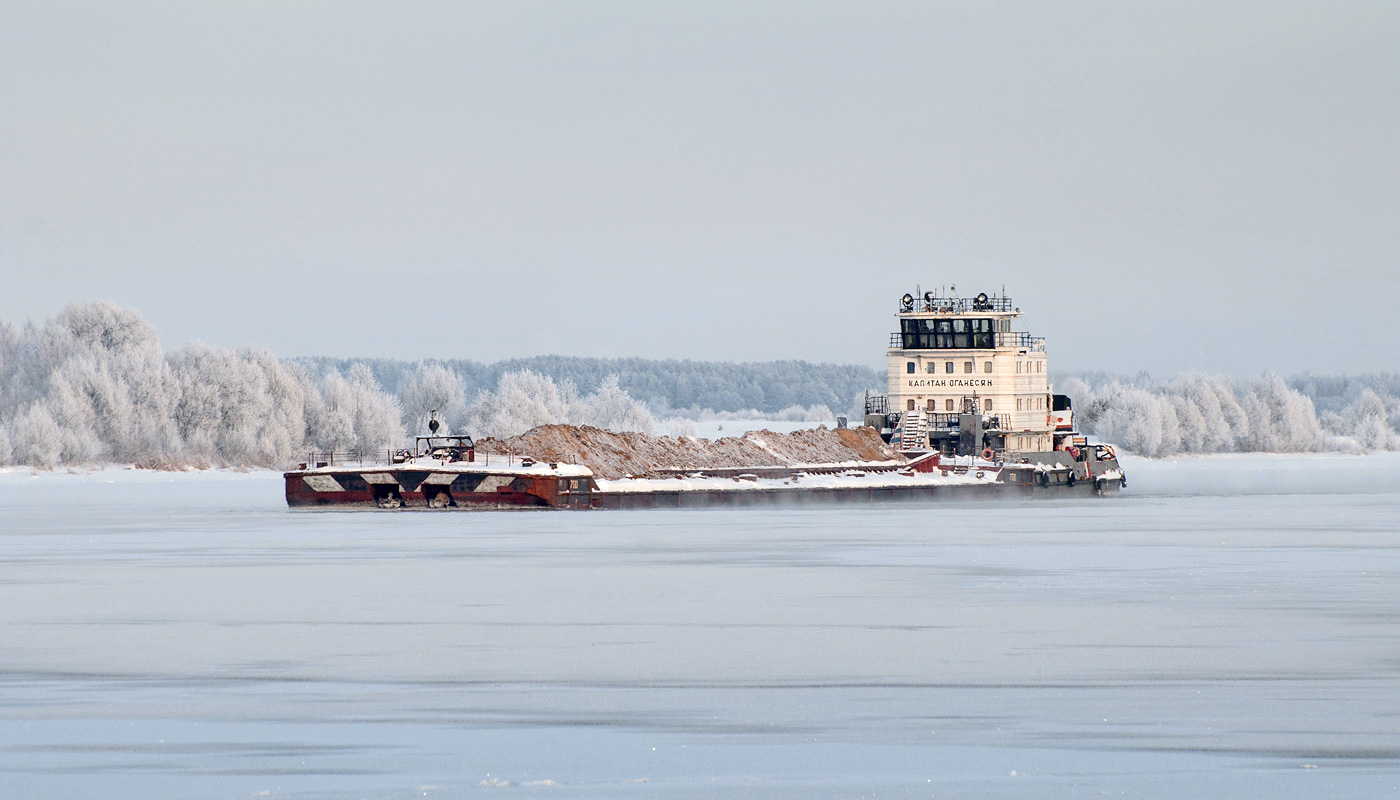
1160 188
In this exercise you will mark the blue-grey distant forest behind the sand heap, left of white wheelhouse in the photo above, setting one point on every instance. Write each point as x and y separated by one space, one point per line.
668 387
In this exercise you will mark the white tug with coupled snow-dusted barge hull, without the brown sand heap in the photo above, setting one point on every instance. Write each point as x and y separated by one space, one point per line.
969 411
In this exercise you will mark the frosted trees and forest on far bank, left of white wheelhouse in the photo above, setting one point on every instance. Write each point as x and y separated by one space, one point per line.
93 386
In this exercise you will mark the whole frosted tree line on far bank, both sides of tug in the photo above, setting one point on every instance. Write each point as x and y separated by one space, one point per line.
94 386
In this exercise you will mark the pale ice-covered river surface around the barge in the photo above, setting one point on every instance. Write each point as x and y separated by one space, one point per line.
1227 628
